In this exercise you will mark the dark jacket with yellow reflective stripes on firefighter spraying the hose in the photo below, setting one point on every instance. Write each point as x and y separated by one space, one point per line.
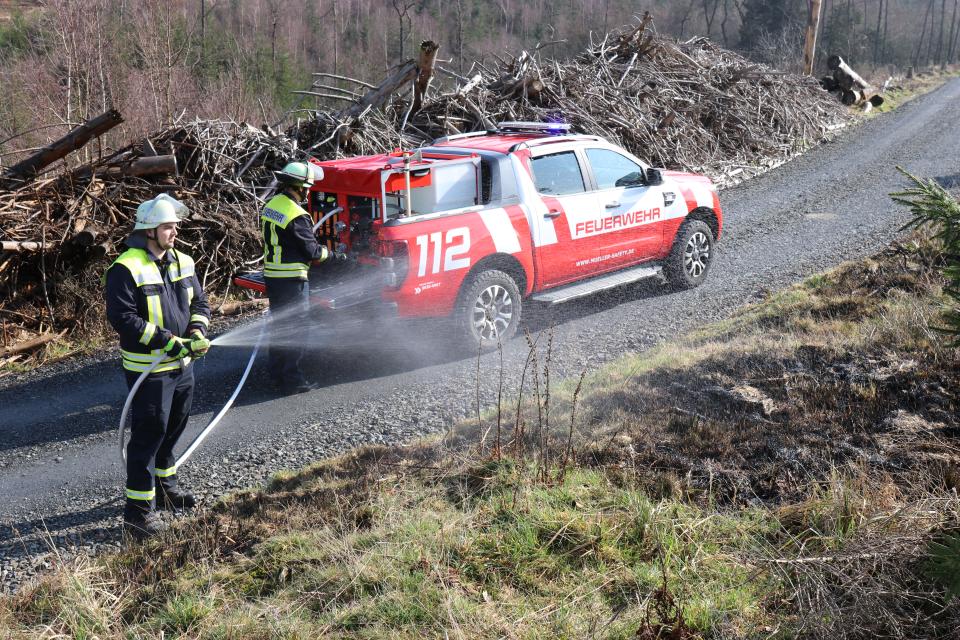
149 300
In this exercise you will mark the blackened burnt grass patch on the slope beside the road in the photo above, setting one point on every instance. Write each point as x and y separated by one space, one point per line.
843 372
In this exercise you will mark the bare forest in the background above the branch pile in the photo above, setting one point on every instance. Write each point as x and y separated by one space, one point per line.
64 61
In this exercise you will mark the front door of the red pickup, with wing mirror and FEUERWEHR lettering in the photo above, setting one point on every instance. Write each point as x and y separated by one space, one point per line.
630 226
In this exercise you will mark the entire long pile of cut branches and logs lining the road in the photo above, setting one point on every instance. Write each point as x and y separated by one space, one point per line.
687 105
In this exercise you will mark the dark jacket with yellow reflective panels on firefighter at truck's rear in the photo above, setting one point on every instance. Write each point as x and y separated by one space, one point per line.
288 241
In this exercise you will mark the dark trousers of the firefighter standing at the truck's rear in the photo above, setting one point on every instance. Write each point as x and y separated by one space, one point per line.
289 329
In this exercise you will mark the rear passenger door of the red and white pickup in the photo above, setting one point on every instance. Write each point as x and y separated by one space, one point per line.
561 196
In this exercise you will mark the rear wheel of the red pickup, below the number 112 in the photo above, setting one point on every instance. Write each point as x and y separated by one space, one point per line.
488 310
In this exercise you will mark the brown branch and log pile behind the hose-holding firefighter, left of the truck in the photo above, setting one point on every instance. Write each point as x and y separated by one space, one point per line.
60 233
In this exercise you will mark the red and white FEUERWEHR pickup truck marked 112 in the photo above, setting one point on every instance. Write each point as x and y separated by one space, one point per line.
471 226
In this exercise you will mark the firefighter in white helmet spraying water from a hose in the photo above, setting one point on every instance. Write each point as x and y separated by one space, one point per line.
156 304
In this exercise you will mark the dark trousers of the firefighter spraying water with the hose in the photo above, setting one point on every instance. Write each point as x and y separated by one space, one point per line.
159 411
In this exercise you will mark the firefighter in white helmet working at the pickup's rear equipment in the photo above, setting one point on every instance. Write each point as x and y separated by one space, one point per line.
289 247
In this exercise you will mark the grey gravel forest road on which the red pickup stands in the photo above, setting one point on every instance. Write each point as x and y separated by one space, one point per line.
60 475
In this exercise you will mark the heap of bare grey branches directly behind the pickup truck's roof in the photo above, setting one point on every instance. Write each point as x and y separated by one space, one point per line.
691 106
